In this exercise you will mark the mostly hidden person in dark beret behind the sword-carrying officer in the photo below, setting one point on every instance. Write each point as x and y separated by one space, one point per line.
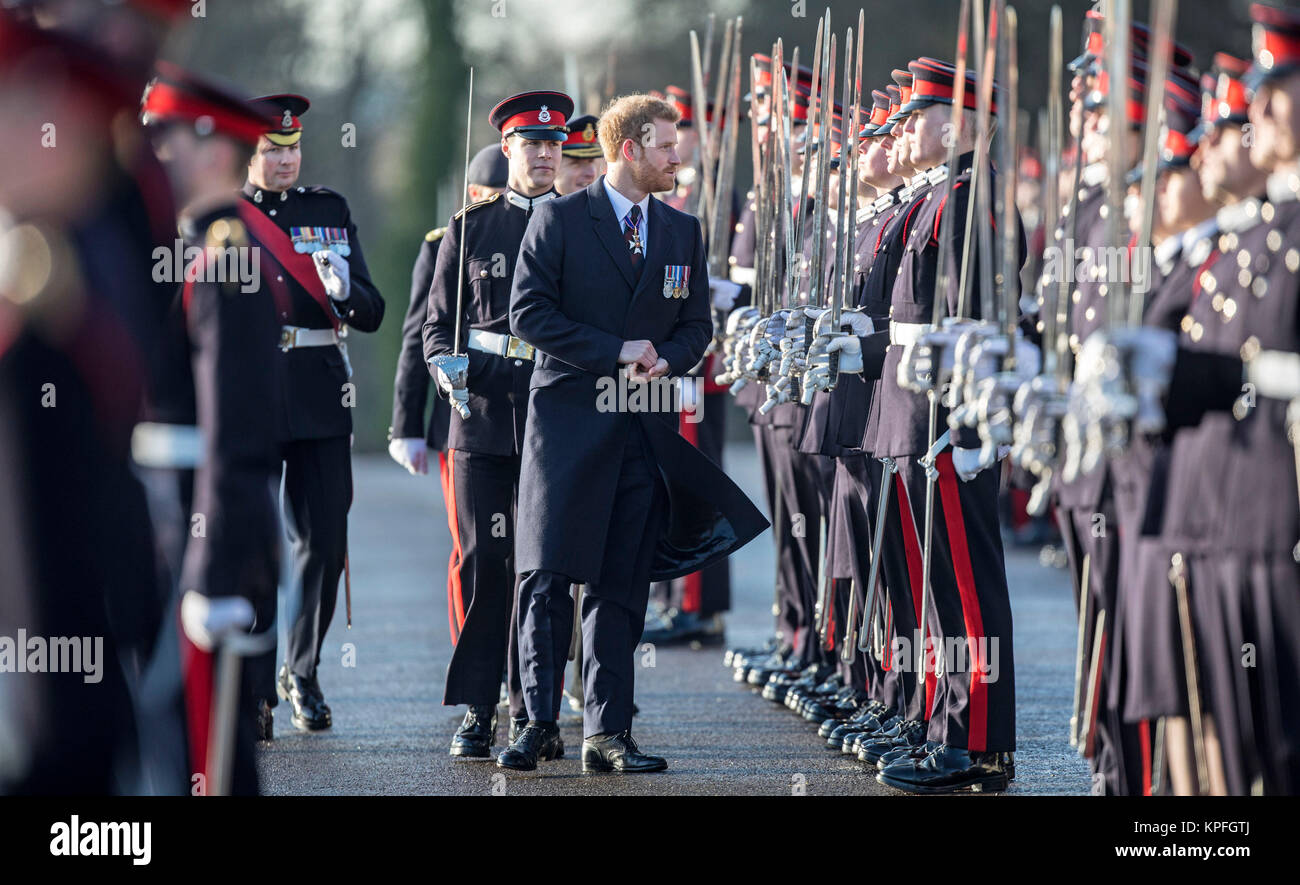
410 440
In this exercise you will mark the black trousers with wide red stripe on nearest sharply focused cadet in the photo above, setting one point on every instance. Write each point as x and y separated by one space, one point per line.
974 697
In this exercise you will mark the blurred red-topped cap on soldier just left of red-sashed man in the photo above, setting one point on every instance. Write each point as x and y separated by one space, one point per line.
179 97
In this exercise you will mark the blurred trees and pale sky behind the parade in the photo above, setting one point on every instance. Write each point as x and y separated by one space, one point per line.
396 71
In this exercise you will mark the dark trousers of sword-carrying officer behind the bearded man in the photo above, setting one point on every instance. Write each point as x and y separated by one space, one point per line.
486 491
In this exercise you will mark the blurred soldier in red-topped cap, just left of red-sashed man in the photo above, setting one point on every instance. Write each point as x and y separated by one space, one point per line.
223 381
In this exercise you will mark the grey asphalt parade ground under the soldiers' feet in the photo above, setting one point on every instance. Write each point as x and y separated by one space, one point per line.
384 682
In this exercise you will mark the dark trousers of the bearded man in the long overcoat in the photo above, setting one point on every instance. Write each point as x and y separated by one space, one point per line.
613 609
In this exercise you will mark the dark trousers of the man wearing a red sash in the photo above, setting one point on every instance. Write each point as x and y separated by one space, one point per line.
317 498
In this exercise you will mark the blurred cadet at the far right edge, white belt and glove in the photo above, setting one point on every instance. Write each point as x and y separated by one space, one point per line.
1230 535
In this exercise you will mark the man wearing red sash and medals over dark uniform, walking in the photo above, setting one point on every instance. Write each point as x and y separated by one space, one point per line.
311 236
